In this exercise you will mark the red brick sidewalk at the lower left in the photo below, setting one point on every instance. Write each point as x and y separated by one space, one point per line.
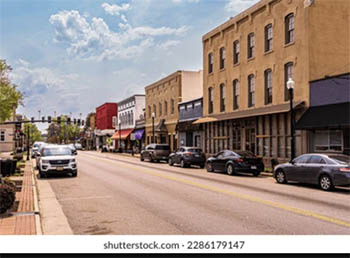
23 218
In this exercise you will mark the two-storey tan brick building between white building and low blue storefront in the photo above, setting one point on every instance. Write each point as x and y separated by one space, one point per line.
162 98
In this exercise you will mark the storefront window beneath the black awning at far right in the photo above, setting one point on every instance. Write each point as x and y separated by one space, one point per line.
331 140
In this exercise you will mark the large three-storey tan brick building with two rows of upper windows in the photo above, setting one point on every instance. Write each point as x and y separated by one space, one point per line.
247 62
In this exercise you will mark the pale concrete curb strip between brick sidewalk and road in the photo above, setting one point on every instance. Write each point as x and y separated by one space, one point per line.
53 219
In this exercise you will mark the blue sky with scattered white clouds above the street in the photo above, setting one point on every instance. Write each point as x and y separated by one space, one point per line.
71 56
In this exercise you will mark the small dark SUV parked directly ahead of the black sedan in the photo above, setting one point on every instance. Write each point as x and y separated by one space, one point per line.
187 156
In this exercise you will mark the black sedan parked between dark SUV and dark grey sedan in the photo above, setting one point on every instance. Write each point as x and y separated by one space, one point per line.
233 162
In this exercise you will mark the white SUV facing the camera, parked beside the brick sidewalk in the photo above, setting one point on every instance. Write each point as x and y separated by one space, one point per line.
57 159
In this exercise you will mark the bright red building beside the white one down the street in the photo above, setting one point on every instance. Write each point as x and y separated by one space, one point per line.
104 122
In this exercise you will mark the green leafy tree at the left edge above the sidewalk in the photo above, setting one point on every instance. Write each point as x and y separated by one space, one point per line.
10 97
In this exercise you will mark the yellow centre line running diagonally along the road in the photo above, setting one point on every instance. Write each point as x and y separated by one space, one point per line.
234 194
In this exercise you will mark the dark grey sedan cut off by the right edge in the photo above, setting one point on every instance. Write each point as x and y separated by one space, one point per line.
326 170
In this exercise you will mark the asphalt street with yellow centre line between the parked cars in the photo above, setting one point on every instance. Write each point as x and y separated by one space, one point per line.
114 194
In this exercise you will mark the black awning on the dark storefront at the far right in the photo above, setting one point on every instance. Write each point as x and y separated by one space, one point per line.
327 116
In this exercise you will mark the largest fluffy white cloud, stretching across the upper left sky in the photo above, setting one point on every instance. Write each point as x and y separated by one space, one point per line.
95 40
